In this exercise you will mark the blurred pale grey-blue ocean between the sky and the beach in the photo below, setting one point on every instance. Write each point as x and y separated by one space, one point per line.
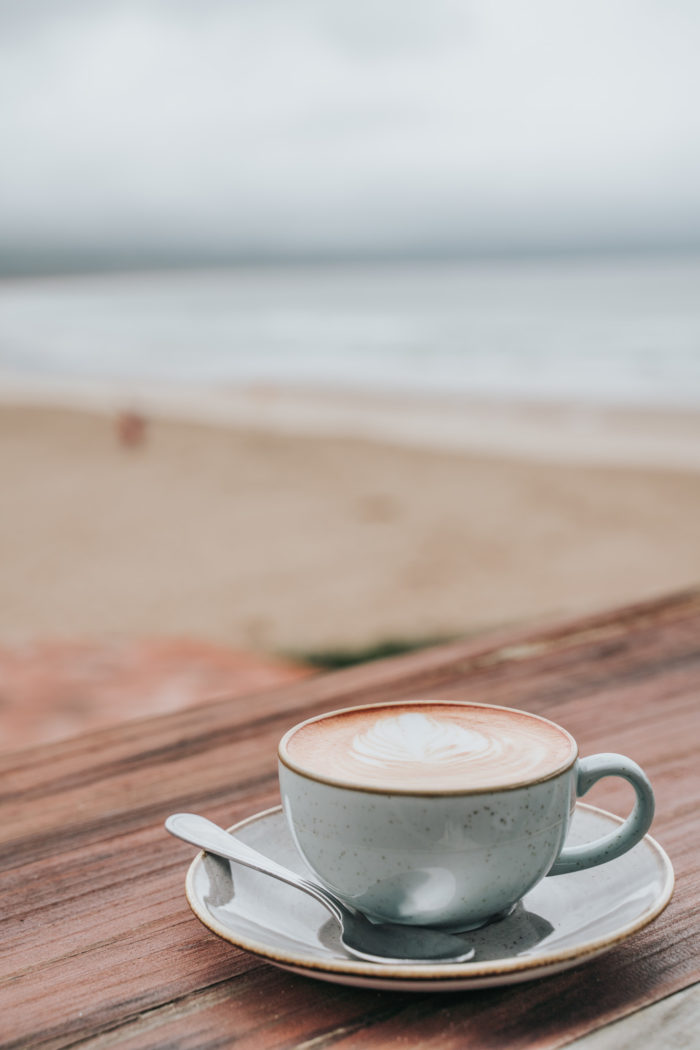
611 332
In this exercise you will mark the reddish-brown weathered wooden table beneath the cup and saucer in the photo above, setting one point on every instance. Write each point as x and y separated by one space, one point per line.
101 951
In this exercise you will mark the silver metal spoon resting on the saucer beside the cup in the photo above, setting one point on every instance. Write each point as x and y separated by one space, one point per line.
374 942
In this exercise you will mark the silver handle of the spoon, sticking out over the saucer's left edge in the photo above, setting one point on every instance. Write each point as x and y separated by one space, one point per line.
205 834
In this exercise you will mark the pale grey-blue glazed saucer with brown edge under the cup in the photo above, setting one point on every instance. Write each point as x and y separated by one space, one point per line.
565 921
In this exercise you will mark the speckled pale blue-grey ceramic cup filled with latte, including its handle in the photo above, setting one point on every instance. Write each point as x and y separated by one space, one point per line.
443 814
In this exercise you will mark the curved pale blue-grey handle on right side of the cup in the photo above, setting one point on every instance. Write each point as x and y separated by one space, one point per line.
593 769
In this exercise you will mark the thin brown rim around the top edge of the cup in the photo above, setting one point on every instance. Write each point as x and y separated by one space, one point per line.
287 761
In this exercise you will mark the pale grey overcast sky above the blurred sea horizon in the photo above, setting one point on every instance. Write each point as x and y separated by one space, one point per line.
245 129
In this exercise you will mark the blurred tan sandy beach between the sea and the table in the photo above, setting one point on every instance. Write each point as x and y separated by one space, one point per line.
267 526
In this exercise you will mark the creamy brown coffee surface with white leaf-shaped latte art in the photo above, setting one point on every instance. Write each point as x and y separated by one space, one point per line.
431 747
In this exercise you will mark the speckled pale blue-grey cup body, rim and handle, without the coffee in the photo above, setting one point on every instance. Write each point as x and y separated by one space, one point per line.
449 856
